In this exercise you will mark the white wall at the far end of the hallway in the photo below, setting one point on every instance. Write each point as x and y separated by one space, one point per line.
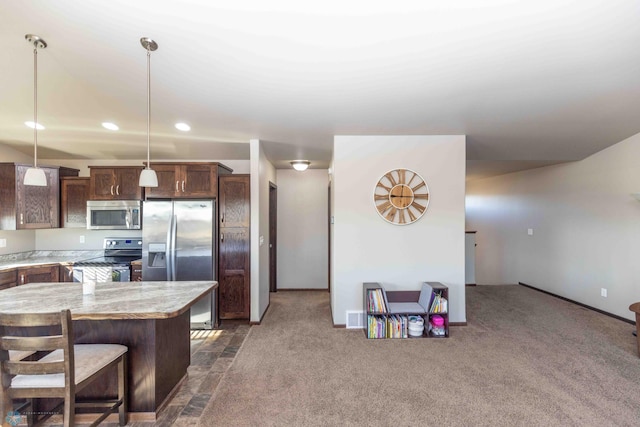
302 229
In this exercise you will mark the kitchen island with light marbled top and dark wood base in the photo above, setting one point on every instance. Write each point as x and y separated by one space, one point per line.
150 318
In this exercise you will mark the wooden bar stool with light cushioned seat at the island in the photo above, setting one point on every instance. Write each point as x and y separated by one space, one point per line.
64 370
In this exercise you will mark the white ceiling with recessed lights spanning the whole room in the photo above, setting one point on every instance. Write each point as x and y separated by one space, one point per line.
529 83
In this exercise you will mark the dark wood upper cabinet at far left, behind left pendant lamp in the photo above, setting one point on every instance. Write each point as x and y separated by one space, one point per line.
24 206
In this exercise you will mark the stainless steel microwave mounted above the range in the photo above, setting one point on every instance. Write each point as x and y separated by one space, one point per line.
114 214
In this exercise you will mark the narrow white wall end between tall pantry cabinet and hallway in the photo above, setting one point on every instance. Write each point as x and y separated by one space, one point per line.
262 172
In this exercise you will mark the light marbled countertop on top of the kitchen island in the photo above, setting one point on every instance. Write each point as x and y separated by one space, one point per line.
111 300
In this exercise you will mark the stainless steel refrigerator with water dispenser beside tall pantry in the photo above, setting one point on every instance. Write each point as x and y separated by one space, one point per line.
178 243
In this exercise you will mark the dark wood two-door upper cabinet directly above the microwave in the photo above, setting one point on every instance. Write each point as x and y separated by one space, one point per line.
115 183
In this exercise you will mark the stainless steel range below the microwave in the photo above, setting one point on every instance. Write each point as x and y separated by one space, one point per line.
114 265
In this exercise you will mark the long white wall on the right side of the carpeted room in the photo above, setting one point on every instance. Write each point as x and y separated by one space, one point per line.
586 228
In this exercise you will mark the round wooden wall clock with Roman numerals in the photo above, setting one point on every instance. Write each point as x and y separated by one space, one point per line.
401 196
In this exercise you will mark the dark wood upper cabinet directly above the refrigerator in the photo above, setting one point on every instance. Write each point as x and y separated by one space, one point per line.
186 180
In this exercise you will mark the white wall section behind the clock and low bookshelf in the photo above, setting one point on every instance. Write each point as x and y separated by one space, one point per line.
367 248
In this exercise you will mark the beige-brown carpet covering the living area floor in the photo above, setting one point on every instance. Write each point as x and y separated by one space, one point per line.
525 359
